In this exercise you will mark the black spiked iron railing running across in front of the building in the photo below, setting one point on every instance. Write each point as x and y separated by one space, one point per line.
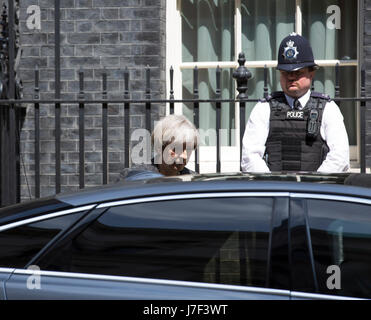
126 102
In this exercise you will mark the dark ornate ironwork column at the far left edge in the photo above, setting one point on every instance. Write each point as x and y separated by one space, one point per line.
10 89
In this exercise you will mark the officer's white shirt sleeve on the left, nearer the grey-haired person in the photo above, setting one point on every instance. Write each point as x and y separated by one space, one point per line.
255 136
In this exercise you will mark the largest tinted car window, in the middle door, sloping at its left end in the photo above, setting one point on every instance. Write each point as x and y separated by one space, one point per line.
219 240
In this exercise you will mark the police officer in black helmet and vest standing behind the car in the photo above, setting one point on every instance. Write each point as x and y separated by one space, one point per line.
295 129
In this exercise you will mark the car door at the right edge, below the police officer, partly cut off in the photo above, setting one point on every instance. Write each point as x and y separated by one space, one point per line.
335 246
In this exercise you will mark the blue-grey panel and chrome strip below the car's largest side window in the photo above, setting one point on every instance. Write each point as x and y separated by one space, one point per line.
120 287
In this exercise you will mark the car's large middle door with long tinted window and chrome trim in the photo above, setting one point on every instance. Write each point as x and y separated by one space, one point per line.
195 246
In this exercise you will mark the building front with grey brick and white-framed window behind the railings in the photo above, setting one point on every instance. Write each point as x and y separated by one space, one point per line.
99 36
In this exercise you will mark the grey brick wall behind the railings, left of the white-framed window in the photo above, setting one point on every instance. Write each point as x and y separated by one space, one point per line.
95 34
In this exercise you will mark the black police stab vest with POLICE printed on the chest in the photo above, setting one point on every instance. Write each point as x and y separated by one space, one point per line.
294 141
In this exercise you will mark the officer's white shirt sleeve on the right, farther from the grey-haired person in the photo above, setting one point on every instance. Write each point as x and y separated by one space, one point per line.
334 133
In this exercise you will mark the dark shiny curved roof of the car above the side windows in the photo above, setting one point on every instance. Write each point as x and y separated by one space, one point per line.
358 185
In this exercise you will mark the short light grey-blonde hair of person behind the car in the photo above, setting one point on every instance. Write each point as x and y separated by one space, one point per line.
176 129
